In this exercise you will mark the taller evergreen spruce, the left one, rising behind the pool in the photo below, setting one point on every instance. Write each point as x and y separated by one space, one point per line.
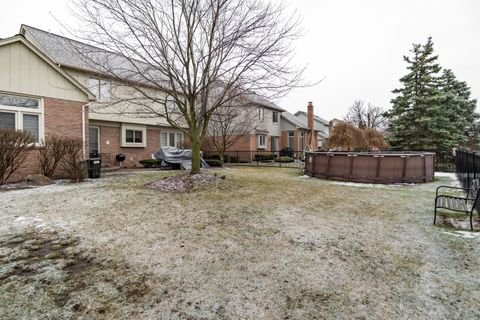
423 115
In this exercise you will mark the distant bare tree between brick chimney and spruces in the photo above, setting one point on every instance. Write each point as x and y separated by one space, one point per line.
365 117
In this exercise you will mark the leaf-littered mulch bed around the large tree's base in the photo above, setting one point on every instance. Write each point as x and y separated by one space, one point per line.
184 183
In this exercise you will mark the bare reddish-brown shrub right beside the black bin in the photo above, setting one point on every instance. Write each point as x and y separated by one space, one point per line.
75 169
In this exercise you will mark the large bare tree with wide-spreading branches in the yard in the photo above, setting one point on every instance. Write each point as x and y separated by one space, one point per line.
201 54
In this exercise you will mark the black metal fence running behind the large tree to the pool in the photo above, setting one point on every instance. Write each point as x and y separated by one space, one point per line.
281 159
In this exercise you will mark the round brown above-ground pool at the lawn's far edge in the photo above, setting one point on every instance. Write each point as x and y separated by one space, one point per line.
371 167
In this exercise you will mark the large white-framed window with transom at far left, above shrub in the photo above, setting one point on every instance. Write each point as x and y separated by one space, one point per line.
21 113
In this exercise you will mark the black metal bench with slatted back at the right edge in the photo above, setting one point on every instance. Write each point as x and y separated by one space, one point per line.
460 204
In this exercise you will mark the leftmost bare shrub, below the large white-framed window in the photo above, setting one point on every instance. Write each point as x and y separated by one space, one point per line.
13 150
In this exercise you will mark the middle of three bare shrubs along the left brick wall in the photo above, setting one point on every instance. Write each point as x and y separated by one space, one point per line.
50 155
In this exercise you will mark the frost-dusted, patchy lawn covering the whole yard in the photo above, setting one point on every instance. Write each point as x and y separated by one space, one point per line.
264 243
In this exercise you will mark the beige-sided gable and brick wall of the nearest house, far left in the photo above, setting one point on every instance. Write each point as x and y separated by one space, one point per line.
38 96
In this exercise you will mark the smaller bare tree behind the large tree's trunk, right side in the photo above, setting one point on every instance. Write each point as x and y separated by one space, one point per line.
228 124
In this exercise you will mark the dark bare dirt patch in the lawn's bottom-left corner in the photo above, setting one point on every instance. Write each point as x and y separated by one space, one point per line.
63 281
